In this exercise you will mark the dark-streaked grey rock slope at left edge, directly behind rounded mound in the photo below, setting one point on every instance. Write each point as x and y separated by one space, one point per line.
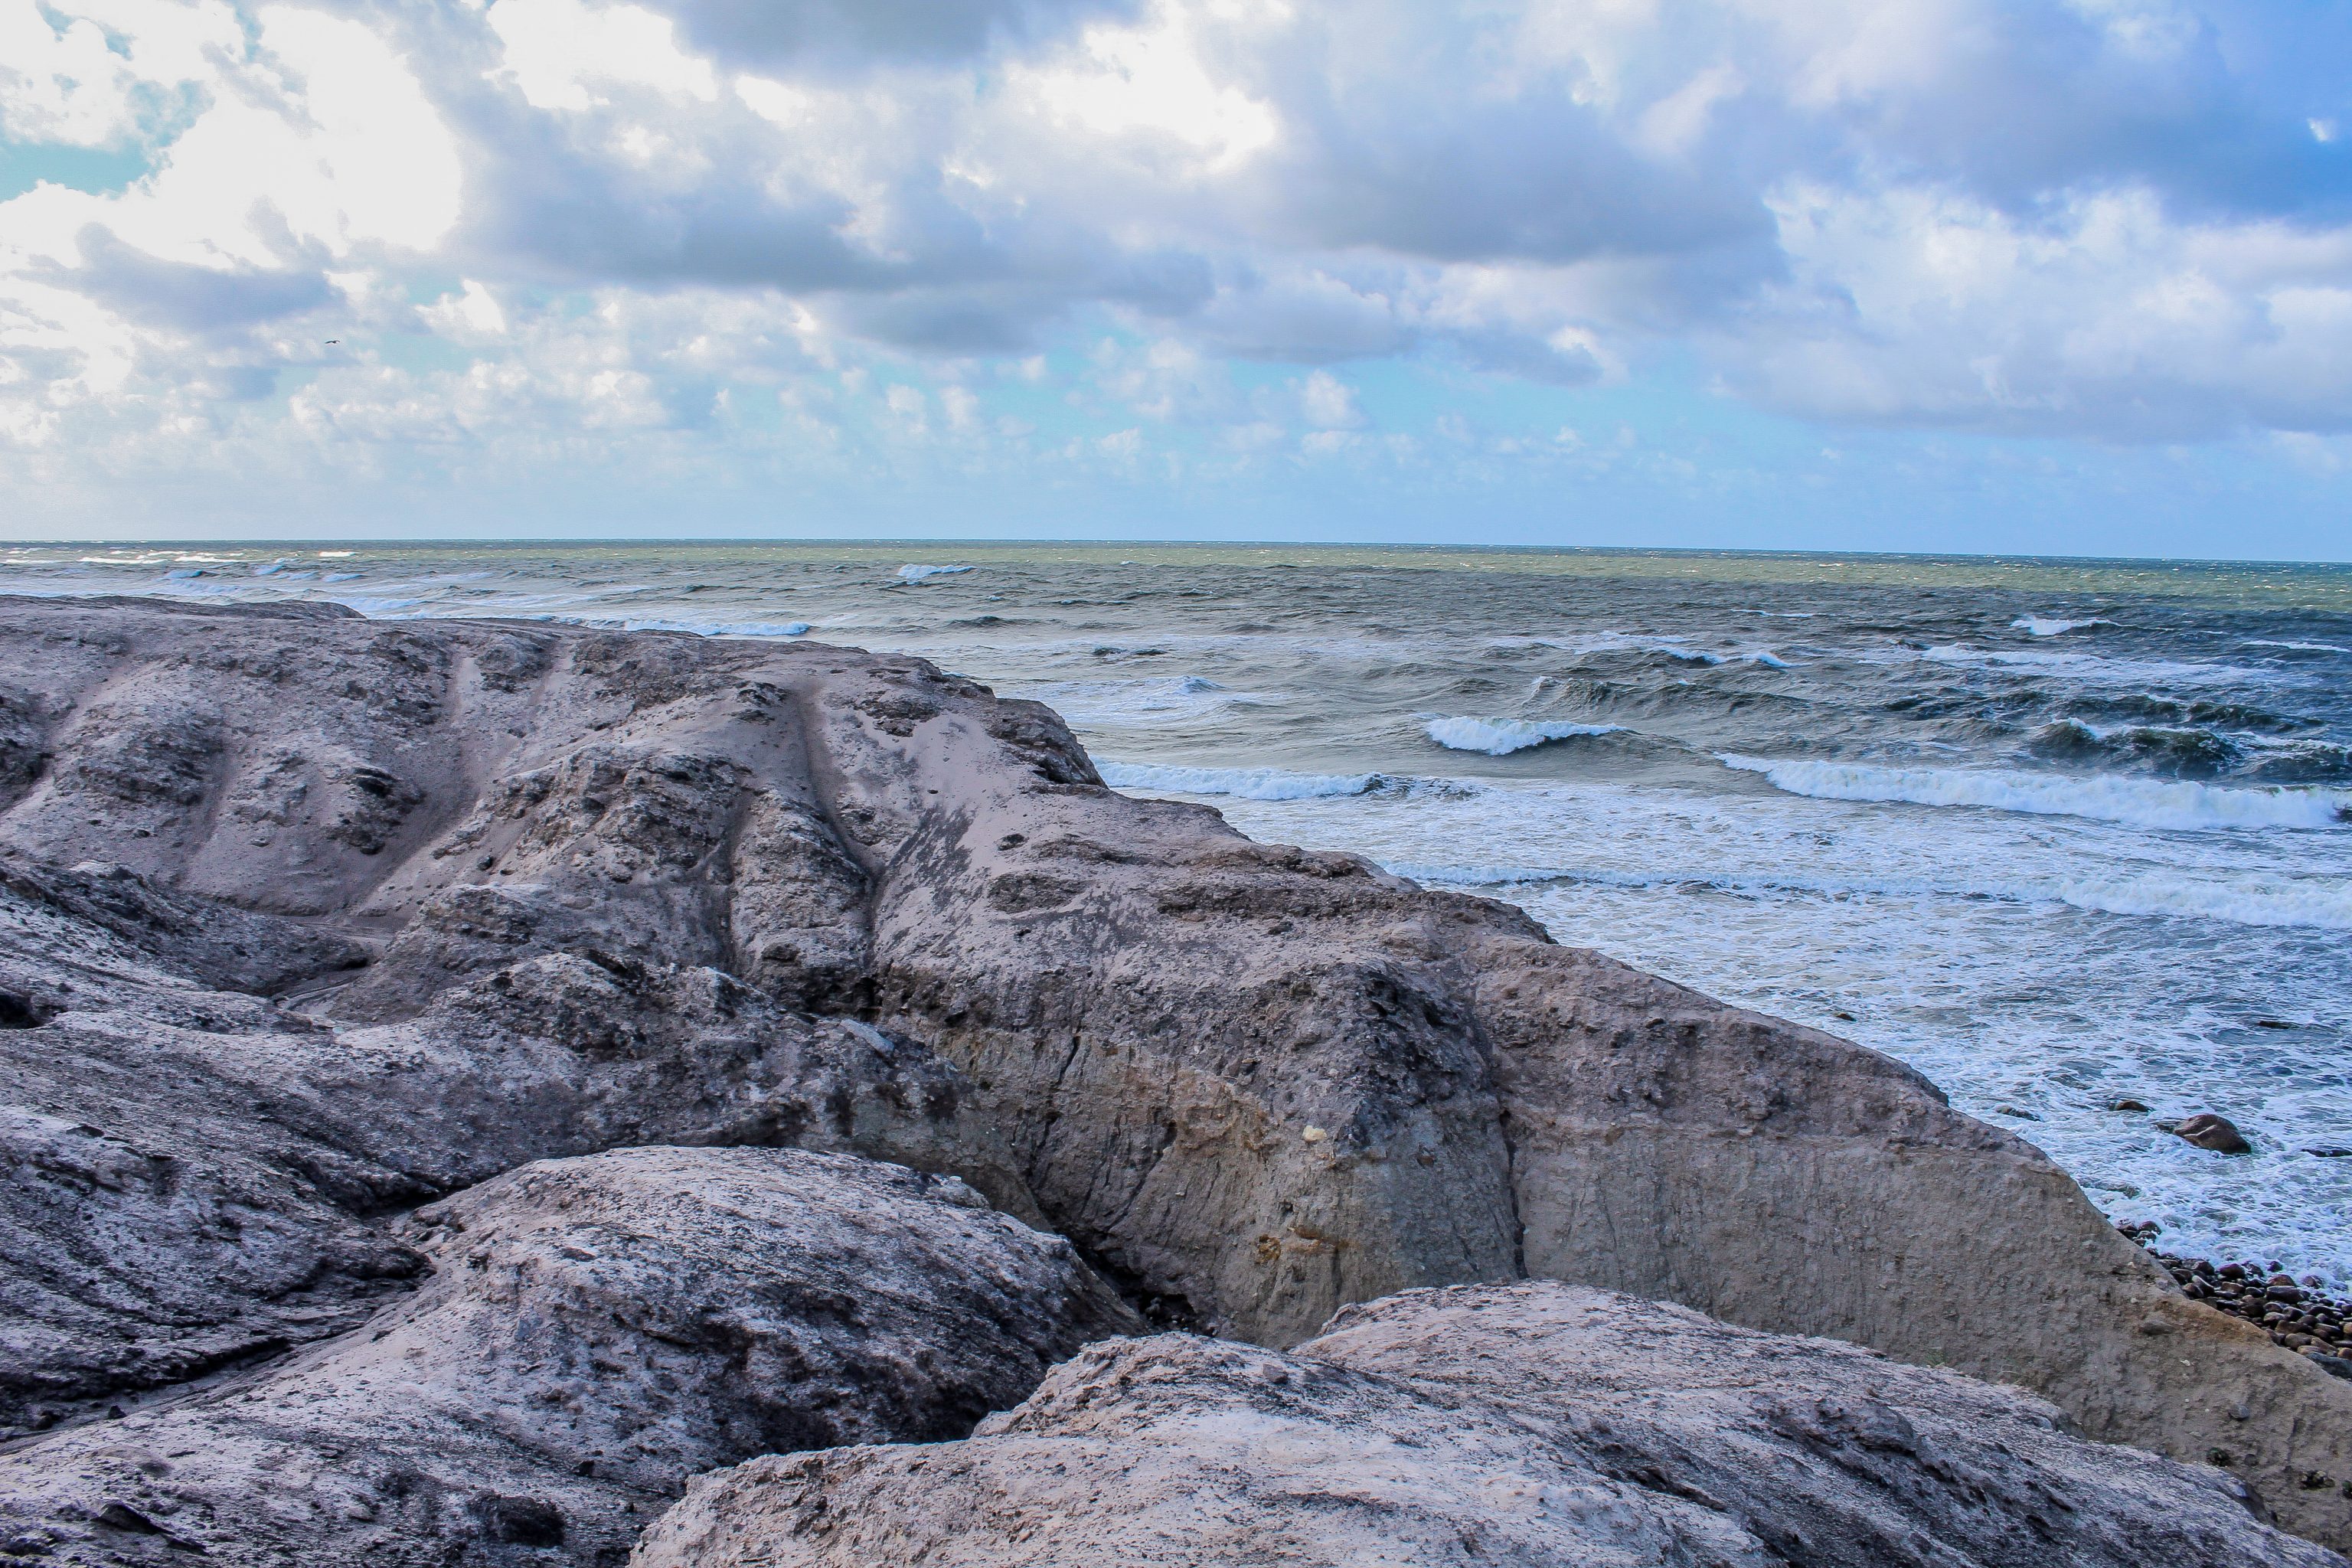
192 1179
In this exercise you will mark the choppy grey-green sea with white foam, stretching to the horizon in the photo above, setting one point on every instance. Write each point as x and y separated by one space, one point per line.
2066 836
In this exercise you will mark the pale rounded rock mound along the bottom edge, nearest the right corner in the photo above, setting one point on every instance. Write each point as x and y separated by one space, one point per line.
1525 1426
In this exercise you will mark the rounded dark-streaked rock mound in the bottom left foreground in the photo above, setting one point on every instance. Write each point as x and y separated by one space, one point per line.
594 1334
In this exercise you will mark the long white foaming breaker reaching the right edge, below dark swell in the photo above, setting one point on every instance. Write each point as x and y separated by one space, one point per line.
2139 803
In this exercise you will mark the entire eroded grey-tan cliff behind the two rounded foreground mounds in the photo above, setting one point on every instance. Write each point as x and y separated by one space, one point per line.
1252 1085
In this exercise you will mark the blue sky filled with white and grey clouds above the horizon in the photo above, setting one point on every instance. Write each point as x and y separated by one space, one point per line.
2022 276
